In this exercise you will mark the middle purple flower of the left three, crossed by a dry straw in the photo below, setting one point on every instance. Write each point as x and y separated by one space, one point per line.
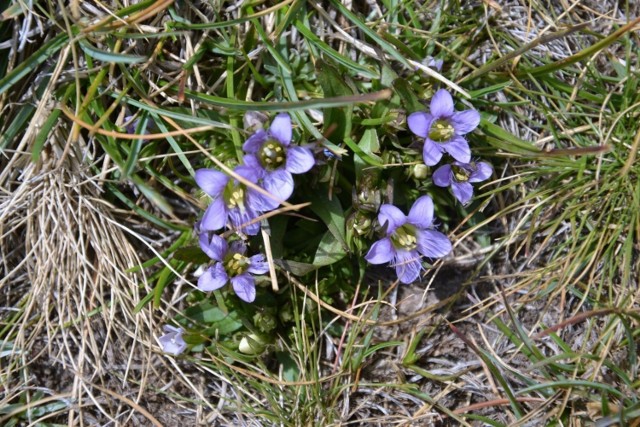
232 201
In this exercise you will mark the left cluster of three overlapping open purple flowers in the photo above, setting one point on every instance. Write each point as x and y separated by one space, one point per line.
269 162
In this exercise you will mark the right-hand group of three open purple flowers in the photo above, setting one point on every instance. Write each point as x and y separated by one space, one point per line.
408 238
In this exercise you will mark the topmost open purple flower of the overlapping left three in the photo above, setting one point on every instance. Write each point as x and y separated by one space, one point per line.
271 153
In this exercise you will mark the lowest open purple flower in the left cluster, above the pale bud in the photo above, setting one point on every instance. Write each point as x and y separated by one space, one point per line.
231 266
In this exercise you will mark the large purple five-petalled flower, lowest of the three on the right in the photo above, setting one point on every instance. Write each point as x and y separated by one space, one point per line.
408 238
